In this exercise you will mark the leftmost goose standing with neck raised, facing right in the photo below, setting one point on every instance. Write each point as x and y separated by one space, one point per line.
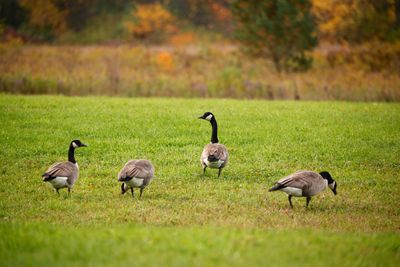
64 174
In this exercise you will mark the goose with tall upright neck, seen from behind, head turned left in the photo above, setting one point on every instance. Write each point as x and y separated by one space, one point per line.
214 155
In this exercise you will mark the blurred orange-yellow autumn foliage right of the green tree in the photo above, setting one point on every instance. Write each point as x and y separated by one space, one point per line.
357 21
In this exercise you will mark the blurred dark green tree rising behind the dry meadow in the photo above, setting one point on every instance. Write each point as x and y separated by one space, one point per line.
282 30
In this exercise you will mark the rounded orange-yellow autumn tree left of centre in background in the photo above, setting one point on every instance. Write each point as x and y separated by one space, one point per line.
151 19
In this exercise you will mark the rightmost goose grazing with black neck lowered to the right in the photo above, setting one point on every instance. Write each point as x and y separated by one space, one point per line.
305 184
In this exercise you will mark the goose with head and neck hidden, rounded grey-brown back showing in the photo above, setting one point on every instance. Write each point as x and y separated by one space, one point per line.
136 174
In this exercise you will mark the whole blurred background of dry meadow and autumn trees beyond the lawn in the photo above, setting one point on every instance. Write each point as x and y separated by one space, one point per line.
287 49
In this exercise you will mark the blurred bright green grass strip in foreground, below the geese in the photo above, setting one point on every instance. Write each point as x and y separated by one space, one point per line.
170 246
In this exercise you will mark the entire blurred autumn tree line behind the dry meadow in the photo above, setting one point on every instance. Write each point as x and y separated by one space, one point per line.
282 30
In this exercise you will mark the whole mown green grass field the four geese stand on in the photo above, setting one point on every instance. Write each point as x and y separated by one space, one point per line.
183 219
